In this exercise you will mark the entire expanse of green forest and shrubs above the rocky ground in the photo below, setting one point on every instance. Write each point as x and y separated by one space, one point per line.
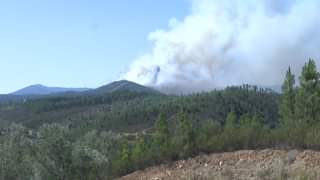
99 137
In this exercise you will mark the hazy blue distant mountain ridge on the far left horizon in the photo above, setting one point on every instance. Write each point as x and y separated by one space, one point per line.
39 89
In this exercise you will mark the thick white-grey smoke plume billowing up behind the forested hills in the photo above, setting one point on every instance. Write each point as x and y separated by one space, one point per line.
231 42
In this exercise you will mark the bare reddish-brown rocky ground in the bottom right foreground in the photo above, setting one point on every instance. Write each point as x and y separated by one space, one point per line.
240 165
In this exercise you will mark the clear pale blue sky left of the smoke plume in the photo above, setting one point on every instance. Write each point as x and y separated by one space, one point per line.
76 43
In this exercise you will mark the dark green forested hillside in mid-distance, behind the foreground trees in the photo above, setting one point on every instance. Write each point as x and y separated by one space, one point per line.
131 110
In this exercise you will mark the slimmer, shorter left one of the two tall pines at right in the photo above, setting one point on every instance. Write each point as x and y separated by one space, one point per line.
287 107
